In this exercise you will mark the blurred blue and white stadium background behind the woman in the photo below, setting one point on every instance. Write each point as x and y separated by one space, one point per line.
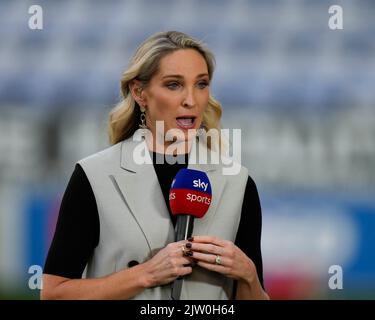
302 94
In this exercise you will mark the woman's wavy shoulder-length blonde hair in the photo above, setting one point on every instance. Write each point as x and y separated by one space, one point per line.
124 117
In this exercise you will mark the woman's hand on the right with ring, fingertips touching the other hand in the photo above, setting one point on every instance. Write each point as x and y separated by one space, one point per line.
222 256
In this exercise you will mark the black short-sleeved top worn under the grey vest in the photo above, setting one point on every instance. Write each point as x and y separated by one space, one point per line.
78 230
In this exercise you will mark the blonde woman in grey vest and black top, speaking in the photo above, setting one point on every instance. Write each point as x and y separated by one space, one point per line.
114 237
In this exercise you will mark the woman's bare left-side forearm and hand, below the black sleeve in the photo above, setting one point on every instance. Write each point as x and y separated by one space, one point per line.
163 268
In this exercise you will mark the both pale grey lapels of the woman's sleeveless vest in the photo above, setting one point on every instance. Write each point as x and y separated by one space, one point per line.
141 192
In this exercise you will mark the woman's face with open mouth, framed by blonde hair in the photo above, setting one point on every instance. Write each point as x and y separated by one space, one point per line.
178 93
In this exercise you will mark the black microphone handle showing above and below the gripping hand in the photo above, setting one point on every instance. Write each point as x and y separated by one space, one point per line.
184 230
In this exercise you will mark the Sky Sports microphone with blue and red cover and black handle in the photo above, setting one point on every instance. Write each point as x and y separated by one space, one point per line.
189 197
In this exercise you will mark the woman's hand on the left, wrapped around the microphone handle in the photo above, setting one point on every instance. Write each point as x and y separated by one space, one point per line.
168 264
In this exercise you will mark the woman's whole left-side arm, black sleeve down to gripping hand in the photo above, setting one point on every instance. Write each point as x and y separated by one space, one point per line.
77 235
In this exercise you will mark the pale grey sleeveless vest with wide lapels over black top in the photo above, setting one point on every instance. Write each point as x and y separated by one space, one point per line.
135 223
